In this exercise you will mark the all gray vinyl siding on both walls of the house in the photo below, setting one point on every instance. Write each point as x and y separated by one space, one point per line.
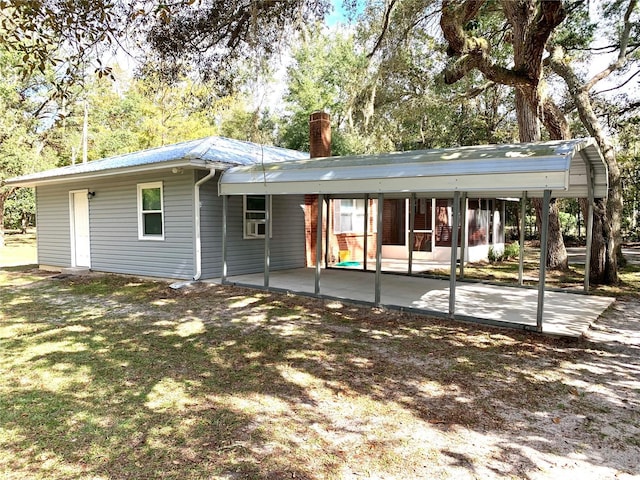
113 220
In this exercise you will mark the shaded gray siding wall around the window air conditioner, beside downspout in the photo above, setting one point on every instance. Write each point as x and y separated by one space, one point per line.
247 255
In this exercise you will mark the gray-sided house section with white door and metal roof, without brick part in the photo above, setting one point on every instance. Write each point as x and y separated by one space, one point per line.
157 213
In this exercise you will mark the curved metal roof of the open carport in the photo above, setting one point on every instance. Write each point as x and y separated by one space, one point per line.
482 171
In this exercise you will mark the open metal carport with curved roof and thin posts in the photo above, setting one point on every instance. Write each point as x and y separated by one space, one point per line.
569 169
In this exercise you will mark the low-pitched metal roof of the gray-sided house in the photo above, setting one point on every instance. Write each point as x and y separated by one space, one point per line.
216 152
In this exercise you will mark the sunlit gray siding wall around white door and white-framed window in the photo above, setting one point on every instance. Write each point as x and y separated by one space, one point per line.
113 217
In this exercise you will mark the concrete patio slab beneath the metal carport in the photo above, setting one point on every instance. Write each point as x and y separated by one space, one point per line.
565 314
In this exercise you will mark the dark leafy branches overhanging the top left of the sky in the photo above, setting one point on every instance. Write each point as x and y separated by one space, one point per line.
214 36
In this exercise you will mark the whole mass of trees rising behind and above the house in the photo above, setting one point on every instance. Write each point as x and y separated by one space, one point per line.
405 74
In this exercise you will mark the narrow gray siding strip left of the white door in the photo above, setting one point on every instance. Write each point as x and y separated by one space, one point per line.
53 232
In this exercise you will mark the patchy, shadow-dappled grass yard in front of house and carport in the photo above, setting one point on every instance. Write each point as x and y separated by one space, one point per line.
110 377
